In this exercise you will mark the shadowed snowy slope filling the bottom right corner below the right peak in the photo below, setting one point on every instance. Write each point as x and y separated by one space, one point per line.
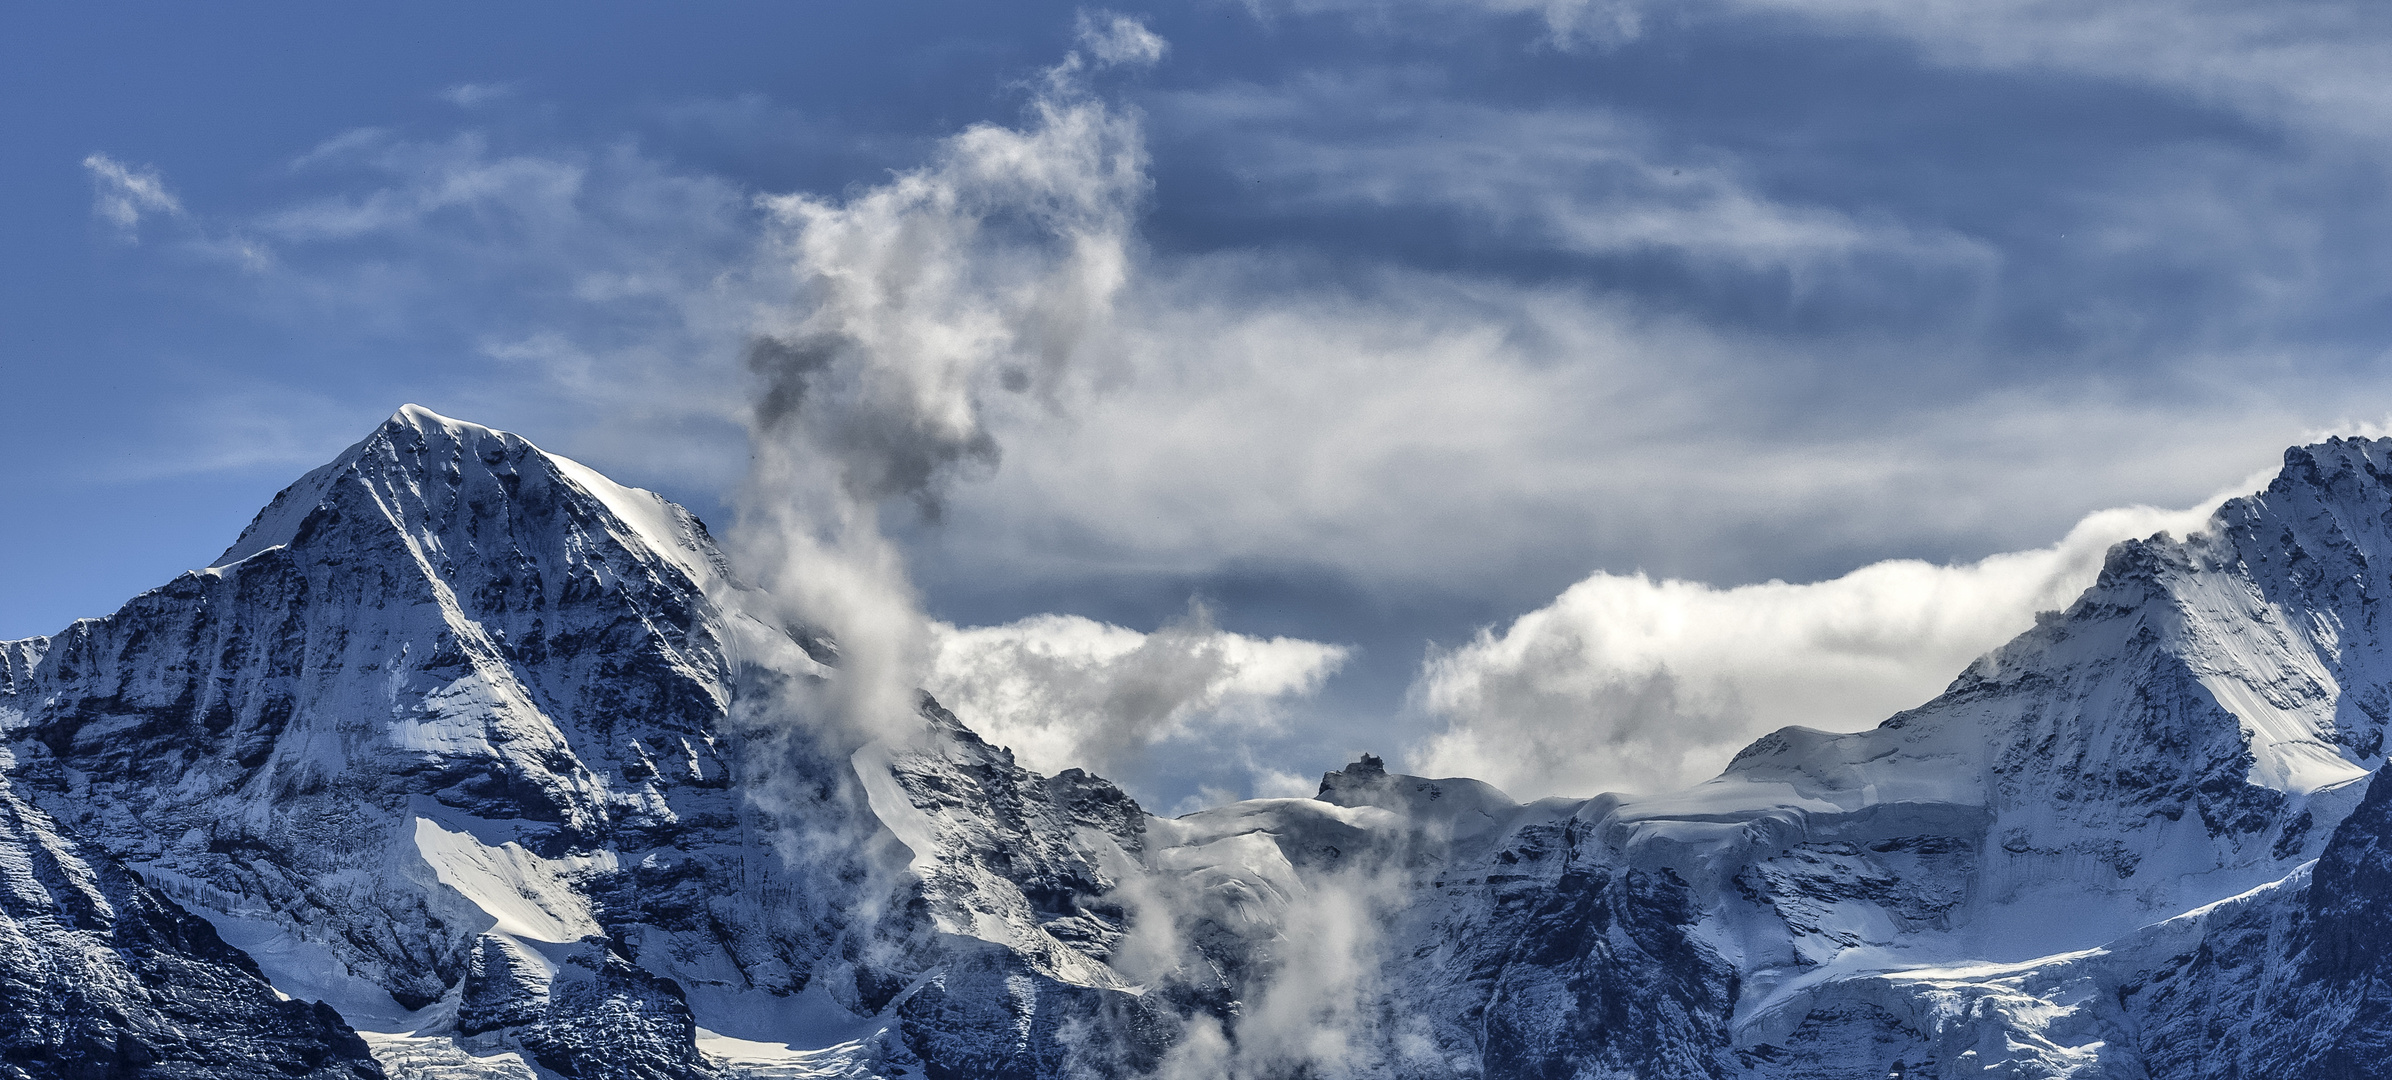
2288 981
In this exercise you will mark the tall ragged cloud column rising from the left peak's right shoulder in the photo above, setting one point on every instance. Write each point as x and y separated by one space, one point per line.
982 274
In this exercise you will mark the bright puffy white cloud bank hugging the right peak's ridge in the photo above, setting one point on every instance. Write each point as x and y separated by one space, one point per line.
1637 685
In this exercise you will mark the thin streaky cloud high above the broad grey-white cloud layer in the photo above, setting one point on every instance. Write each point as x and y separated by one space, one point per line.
1582 180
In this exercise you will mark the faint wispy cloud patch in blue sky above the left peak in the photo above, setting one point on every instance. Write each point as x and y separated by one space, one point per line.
582 290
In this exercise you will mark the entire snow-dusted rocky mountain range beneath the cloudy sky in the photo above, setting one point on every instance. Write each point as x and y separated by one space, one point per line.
470 763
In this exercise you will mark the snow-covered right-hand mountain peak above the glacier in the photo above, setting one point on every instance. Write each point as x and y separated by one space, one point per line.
2187 730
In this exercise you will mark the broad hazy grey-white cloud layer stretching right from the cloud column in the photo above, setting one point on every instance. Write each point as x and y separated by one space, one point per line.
1446 436
